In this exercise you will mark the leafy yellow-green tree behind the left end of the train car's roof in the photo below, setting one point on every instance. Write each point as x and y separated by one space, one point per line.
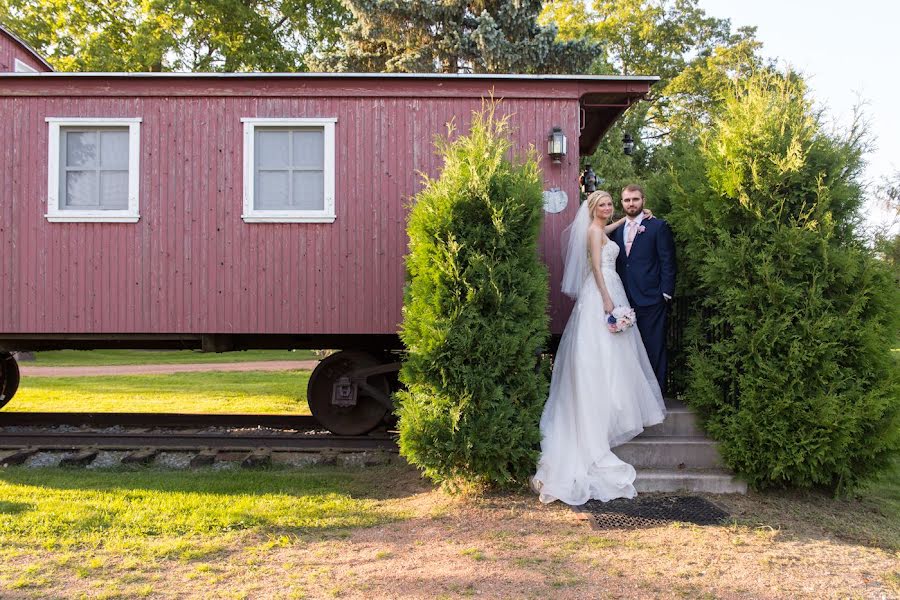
176 35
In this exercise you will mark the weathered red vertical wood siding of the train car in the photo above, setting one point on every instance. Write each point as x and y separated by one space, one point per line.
191 265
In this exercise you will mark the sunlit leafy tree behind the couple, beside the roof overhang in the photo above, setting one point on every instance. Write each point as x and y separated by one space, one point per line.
697 57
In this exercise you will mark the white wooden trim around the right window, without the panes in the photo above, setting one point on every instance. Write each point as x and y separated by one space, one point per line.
252 215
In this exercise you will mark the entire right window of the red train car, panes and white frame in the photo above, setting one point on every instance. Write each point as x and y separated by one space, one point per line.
289 170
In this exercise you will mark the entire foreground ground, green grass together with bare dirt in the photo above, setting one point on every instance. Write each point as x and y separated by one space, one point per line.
383 532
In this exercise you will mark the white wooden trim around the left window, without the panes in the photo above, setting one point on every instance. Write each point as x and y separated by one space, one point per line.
129 215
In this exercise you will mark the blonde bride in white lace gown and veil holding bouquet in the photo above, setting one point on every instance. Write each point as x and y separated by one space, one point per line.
603 391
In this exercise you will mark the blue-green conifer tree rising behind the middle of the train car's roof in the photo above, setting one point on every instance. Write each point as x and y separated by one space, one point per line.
426 36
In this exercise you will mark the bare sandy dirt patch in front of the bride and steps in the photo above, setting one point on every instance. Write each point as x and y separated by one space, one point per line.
515 548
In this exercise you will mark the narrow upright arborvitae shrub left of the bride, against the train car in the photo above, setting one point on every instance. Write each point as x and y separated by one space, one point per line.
474 316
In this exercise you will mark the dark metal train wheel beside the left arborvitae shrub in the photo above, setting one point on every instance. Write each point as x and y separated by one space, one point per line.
356 419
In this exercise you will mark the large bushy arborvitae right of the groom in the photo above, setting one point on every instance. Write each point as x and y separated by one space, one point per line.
790 365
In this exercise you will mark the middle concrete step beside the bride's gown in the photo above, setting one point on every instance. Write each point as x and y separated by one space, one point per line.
670 452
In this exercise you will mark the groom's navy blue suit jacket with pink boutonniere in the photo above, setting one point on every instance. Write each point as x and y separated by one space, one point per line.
649 271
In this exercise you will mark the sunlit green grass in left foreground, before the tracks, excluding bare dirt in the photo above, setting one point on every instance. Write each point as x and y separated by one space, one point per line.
127 534
